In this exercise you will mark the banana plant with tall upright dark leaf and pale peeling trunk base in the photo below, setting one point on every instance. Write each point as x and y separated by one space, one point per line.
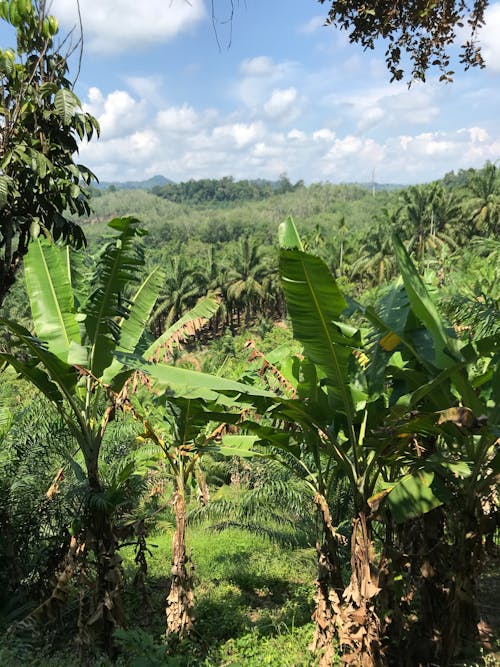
336 412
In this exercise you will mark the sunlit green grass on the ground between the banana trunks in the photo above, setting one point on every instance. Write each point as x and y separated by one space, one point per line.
253 603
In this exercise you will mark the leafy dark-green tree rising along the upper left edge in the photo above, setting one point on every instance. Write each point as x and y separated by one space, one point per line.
41 121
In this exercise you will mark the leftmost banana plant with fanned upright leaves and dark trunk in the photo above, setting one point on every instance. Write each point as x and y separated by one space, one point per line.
70 360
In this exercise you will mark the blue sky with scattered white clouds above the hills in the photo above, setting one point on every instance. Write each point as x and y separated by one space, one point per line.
271 92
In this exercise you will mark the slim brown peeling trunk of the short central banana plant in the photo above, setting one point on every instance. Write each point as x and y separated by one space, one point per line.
180 599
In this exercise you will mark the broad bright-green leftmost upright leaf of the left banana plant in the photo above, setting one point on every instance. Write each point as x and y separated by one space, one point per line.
48 284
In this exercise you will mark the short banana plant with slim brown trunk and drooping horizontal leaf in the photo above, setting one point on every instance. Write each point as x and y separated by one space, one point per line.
180 406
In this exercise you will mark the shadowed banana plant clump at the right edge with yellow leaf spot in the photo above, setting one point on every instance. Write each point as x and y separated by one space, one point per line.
447 394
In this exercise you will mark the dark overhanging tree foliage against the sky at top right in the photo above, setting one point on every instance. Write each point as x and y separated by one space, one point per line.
423 31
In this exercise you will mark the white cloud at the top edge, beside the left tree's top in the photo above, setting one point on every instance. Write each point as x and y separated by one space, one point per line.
117 25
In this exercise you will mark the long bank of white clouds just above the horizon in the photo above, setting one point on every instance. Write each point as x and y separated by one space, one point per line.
184 141
